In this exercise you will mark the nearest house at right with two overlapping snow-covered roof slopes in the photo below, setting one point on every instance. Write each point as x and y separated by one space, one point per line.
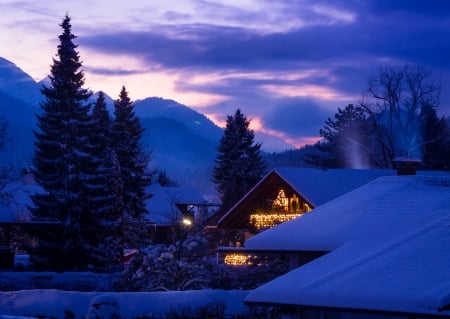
385 253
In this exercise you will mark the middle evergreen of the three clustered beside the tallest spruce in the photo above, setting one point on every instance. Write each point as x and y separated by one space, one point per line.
106 246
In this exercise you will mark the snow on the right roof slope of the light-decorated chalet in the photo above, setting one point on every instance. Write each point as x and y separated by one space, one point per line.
319 186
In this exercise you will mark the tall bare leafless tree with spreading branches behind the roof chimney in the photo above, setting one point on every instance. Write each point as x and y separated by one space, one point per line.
393 102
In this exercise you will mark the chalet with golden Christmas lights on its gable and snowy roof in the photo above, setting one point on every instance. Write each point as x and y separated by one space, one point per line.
284 194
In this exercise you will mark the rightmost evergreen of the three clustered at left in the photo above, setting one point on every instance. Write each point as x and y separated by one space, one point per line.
126 134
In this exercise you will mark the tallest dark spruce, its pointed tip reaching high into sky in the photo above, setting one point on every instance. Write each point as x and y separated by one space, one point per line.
63 162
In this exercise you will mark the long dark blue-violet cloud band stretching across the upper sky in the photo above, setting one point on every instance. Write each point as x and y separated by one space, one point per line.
327 35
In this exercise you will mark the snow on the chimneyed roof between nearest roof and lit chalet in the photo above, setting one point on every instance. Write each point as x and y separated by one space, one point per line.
387 207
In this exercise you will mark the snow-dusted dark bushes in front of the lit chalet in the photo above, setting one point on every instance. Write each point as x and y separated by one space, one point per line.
179 267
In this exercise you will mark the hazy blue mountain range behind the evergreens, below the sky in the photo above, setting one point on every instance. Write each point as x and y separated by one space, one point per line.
182 141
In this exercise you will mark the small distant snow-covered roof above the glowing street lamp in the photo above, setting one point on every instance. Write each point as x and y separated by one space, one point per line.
162 205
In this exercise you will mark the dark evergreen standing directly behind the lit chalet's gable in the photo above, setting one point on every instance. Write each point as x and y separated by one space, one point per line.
238 164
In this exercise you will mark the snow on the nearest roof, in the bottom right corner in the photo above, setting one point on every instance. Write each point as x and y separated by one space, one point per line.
410 274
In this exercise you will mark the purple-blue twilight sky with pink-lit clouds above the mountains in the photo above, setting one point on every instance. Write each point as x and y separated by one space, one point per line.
287 64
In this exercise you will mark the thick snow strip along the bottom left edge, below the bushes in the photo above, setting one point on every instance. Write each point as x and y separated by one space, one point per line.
49 303
